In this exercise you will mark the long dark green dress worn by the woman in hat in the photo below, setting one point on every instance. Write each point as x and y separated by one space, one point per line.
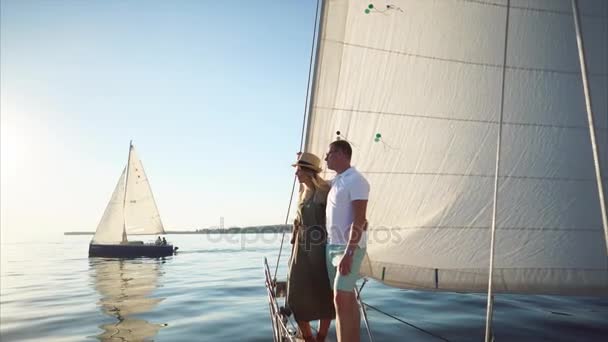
309 294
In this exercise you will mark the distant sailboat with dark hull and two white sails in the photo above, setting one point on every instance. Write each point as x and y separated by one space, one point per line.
131 211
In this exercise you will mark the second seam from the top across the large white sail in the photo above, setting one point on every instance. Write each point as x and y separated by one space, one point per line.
460 61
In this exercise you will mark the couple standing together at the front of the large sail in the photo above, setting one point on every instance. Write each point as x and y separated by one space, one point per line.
329 244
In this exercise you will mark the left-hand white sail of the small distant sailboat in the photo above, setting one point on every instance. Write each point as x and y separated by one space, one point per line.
110 228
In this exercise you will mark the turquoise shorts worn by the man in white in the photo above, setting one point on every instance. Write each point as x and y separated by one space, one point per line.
333 255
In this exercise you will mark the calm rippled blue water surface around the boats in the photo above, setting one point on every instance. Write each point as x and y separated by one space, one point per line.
213 290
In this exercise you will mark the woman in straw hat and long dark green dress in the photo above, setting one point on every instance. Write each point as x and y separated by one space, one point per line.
309 293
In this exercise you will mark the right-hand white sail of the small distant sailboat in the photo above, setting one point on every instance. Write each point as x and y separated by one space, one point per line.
141 213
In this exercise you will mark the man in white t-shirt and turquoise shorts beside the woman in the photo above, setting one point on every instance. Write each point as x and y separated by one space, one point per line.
346 224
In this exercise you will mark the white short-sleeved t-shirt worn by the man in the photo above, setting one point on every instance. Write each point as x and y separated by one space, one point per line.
346 187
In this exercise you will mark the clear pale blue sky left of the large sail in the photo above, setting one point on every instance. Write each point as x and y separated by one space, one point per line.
211 92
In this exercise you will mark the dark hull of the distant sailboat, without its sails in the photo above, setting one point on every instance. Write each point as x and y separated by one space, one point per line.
130 250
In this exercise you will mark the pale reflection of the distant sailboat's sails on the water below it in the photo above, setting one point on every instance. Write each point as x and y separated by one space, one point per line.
125 287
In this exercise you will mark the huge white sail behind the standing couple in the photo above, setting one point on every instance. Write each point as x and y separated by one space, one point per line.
416 88
